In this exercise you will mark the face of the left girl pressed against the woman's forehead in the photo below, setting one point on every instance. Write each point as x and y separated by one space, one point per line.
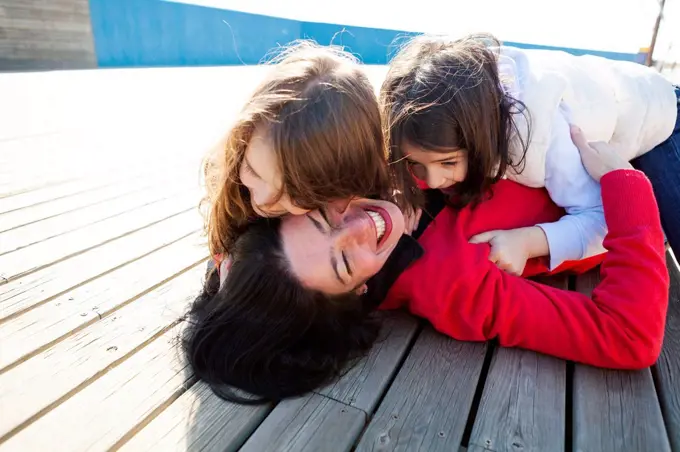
260 173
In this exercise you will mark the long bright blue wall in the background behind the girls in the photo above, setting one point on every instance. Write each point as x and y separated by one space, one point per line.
164 33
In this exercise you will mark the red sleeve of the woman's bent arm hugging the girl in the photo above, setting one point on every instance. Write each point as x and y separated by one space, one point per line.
620 326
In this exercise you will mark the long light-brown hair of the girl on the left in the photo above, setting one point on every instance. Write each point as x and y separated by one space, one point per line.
323 119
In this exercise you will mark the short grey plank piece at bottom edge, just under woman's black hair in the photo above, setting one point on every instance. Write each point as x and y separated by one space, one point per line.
309 423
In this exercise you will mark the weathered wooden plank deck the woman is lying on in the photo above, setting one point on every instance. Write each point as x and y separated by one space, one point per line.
100 254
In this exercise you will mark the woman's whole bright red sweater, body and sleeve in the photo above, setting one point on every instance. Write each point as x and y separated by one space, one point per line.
620 326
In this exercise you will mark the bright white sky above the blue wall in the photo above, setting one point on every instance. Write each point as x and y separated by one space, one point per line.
624 26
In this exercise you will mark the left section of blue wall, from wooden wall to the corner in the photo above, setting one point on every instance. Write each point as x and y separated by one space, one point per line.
159 33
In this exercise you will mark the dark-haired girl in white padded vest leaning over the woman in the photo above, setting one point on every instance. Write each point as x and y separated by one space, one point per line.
462 114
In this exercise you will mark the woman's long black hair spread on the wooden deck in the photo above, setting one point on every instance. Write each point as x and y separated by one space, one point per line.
264 333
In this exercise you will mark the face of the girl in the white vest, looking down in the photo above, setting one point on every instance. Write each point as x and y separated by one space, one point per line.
439 170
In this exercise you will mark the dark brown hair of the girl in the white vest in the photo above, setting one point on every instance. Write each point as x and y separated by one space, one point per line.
441 94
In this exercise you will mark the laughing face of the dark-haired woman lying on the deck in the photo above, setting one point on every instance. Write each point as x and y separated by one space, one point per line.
336 251
